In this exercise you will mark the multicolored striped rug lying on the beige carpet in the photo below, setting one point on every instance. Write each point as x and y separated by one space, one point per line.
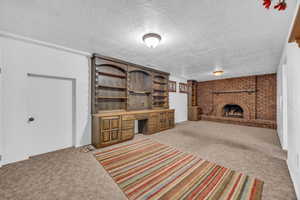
146 169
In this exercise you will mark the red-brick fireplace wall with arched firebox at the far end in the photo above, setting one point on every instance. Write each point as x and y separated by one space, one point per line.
246 100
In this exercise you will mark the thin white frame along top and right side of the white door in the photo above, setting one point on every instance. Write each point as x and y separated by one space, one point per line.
73 81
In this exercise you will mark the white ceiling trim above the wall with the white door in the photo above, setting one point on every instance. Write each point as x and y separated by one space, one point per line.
42 43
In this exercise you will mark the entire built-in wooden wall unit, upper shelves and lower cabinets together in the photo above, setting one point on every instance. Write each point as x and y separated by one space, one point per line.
123 92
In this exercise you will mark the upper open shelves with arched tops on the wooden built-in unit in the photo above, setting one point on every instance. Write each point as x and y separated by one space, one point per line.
118 85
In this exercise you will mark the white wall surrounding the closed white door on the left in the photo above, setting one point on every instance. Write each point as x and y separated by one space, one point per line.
20 58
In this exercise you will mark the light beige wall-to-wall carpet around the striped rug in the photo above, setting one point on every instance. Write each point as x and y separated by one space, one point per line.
71 174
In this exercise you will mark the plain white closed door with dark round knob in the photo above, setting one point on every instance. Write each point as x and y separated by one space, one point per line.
50 113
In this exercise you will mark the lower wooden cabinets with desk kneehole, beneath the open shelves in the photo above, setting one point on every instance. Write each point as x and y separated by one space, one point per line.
111 128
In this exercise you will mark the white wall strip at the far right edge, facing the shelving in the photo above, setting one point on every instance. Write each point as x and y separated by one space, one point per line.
293 112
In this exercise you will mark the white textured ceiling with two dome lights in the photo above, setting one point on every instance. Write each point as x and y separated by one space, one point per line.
197 35
